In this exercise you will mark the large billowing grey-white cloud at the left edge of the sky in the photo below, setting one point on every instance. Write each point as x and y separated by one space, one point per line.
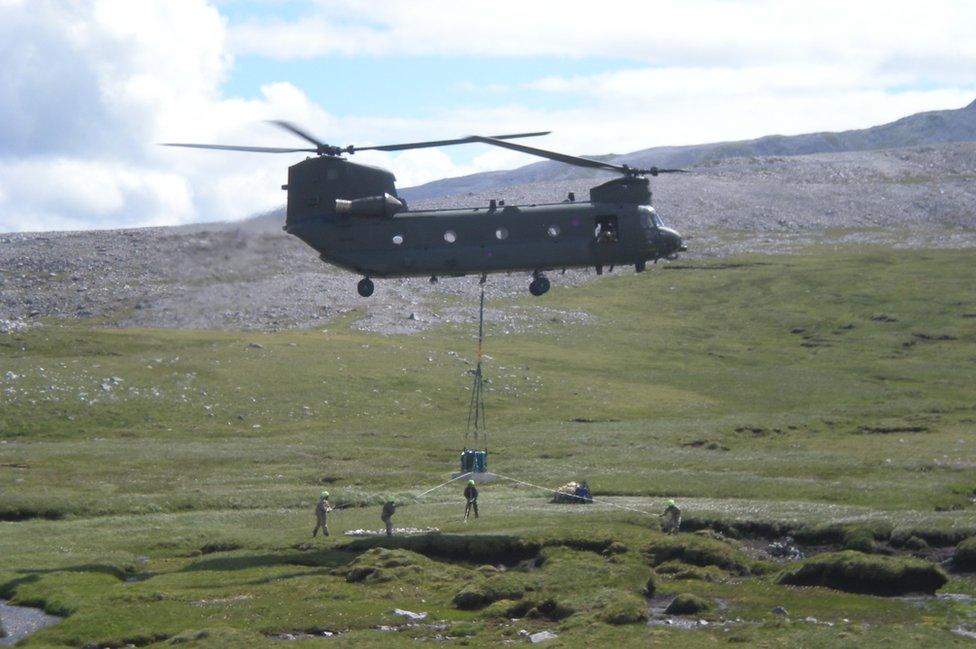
85 90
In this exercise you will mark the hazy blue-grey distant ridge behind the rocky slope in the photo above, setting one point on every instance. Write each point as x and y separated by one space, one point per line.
933 127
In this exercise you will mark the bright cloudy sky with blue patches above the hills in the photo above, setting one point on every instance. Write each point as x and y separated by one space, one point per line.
88 88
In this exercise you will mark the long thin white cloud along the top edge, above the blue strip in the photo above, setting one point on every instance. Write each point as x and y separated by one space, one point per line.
712 32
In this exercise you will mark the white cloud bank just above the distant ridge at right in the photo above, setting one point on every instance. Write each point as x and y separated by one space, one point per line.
645 107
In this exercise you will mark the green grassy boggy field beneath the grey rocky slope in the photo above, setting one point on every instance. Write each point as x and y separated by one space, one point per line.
158 485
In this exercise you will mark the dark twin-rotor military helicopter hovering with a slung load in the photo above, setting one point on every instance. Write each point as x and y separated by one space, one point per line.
351 215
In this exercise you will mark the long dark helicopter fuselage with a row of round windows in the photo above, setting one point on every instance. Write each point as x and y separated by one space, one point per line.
478 240
